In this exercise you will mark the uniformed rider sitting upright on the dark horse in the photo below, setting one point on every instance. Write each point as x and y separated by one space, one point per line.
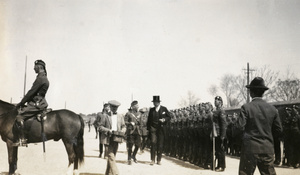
35 99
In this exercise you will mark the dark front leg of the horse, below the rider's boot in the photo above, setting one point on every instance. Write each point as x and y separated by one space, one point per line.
12 157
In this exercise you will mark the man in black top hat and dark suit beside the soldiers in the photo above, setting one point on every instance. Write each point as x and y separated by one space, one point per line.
157 119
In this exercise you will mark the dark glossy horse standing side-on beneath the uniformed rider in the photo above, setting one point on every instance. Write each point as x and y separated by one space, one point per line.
59 124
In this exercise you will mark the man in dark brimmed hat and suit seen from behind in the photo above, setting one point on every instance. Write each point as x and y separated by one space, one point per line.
259 121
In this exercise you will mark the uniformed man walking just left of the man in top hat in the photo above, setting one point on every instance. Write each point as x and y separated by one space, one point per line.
132 121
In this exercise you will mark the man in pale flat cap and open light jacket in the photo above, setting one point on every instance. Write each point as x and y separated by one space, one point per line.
110 124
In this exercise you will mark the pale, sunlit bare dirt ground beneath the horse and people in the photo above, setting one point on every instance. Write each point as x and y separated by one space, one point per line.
32 161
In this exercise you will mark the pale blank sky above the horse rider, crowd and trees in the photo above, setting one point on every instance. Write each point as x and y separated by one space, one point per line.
97 51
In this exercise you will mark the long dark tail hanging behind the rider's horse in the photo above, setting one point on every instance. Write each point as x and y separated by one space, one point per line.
78 148
